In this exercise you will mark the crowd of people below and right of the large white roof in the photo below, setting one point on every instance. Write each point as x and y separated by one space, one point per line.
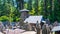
44 27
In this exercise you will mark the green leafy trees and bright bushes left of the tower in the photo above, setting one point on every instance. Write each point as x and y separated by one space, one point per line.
8 12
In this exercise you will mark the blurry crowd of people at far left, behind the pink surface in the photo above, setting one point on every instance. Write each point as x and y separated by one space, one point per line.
8 26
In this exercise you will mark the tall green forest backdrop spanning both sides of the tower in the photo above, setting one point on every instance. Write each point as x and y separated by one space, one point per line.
36 7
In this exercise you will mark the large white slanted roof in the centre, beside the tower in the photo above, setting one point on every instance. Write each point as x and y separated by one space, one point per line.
33 19
